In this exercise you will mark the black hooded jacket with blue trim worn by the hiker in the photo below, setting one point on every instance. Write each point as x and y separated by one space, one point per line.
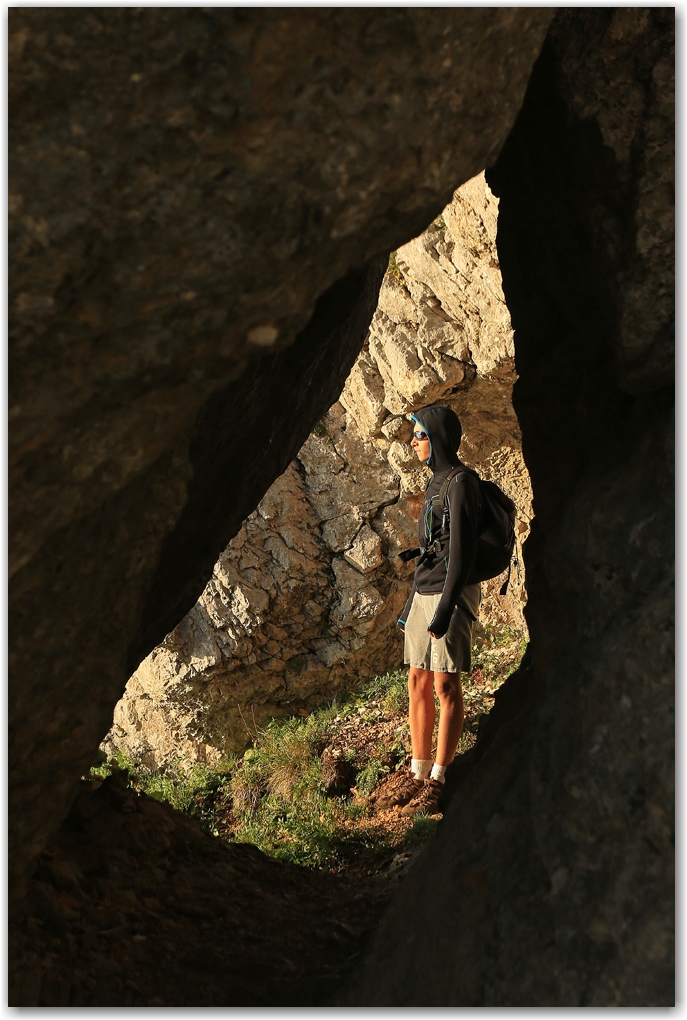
450 571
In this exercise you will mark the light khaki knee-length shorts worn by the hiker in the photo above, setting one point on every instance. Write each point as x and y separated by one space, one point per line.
450 654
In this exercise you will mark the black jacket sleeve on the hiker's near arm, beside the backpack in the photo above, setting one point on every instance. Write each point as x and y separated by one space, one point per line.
463 498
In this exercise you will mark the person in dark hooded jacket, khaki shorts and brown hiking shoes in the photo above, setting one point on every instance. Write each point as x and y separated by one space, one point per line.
439 617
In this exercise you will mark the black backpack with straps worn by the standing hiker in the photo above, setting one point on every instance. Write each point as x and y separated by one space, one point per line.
496 540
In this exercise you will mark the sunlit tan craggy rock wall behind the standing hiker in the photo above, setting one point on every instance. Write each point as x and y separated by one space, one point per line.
303 602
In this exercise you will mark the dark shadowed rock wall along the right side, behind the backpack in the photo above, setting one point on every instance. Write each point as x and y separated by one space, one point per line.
551 883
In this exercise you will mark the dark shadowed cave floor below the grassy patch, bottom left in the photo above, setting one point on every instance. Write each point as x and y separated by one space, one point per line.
132 904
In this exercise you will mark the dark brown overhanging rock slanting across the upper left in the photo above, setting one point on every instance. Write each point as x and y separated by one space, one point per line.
195 194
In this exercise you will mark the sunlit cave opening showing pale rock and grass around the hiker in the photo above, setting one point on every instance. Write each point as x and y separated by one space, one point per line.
299 618
